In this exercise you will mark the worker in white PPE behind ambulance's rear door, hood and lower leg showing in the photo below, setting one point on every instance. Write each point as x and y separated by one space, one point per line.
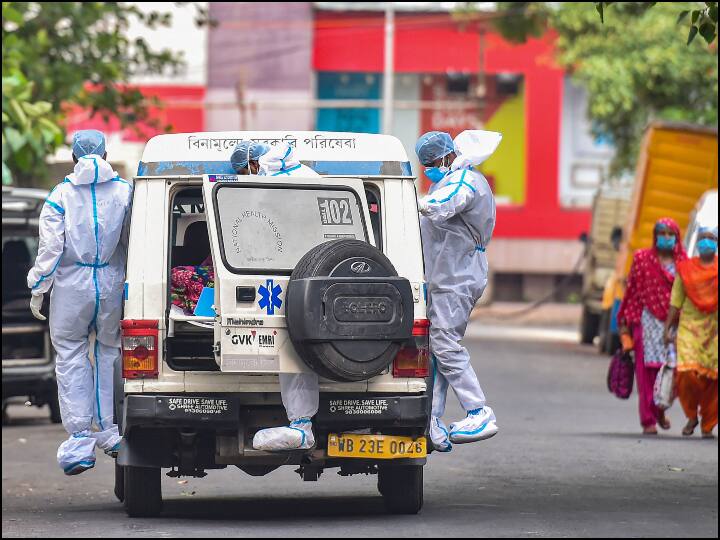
300 391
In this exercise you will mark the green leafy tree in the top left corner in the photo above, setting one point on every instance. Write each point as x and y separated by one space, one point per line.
72 53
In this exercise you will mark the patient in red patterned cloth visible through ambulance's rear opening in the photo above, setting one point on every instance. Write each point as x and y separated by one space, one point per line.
192 269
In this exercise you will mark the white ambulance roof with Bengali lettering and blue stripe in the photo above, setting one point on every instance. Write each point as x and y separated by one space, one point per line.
327 152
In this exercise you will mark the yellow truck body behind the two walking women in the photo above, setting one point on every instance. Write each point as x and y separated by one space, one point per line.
677 164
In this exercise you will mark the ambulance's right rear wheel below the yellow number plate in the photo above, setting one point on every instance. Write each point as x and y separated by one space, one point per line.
401 488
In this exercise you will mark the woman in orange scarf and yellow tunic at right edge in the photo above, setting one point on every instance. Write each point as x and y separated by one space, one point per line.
694 302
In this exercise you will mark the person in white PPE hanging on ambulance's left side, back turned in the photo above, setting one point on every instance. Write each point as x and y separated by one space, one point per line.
81 257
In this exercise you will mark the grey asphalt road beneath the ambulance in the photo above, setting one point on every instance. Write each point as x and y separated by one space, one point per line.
569 461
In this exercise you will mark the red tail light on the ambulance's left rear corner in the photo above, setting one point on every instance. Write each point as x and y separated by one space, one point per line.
140 349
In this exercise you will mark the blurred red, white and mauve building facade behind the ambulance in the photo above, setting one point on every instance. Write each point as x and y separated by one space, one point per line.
305 66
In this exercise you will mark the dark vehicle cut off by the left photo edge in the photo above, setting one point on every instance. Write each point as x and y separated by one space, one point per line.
28 365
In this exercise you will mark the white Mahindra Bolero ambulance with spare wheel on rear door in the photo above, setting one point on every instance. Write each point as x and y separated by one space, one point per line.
311 274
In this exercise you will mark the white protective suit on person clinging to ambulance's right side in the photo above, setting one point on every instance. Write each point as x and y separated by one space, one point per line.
457 222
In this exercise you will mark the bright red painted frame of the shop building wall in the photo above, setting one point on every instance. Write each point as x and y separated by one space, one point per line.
435 44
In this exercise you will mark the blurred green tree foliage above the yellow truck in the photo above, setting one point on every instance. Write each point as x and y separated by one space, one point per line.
636 66
